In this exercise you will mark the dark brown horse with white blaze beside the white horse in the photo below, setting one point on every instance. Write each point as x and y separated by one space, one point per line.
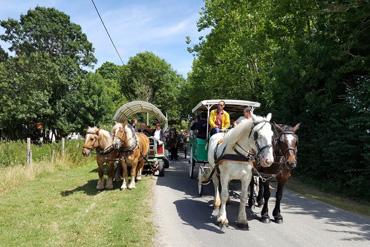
285 142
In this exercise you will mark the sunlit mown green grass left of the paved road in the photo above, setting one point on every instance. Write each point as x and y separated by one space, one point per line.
63 208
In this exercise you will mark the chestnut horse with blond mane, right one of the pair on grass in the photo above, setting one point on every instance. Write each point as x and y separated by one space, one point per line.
134 147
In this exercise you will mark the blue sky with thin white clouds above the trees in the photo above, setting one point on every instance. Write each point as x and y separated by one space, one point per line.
159 26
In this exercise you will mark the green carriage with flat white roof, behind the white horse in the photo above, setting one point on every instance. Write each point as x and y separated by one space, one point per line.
198 146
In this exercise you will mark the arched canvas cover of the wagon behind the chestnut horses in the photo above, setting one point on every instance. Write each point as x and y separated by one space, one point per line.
128 110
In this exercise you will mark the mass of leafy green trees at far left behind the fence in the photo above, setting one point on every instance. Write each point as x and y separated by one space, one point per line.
45 81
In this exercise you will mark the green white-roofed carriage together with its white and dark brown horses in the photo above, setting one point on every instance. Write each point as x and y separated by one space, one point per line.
255 147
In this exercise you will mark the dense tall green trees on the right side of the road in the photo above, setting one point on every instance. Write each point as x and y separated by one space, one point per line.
306 61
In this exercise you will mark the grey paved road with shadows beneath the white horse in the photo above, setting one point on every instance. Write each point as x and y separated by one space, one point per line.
184 219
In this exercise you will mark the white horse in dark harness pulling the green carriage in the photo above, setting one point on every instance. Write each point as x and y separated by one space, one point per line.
229 154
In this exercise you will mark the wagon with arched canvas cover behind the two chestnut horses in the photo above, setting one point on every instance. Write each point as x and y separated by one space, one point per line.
156 159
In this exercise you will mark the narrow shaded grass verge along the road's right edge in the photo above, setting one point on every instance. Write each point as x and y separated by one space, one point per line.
313 192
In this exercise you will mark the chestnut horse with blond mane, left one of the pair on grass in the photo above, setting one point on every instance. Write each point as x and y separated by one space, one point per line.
99 140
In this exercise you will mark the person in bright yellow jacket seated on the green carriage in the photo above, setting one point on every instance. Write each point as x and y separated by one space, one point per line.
219 119
